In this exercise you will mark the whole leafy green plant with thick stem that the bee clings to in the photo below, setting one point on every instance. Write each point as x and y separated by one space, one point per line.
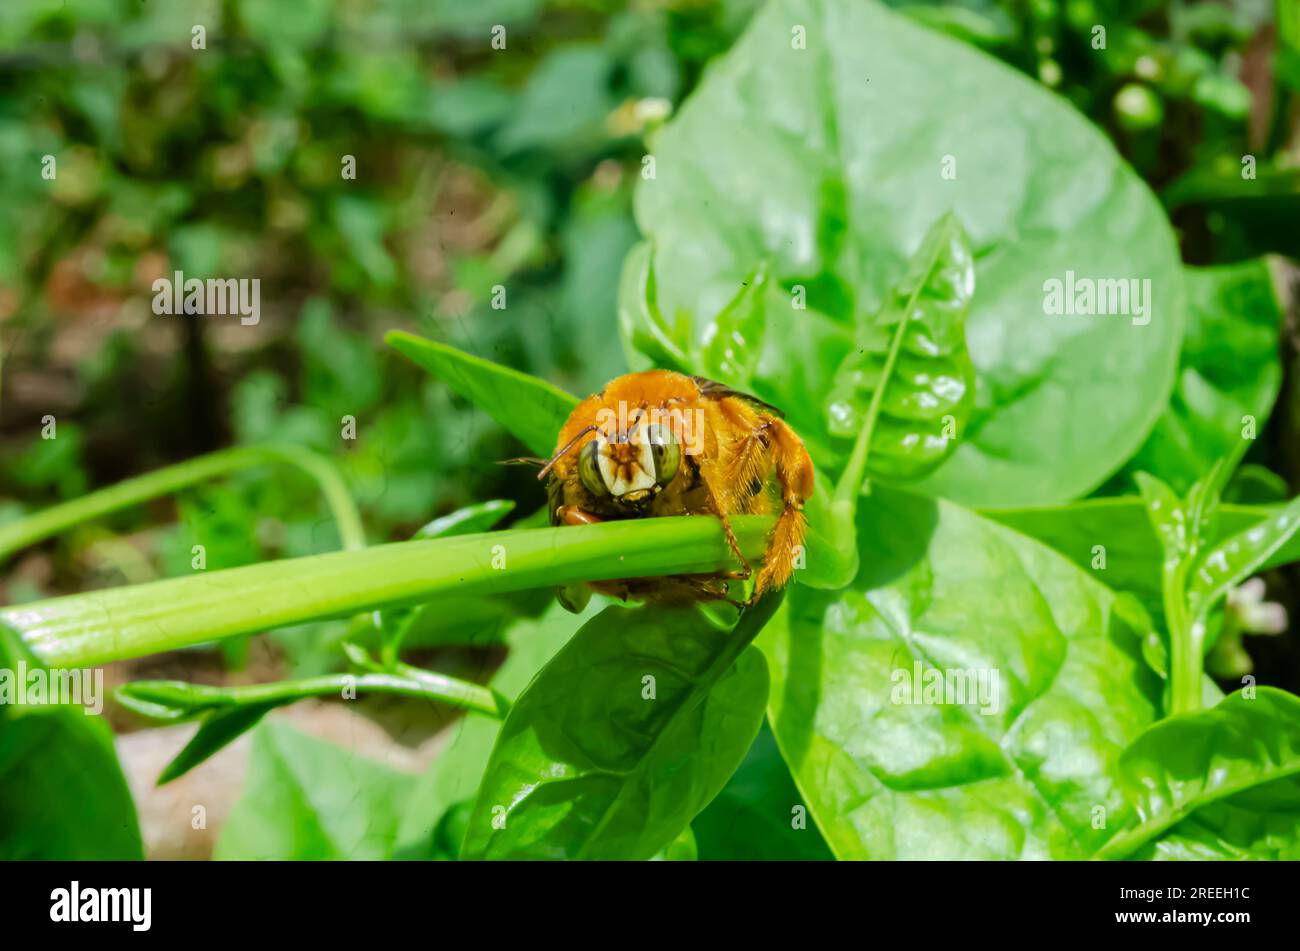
860 233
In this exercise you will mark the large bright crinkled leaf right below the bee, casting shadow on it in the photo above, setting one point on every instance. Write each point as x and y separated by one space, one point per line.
1025 771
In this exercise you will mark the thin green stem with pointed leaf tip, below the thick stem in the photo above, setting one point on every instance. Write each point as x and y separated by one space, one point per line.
198 698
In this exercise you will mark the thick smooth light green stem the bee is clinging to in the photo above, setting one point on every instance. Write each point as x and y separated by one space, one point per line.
115 624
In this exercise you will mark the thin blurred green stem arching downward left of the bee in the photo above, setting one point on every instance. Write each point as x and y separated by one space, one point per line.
172 479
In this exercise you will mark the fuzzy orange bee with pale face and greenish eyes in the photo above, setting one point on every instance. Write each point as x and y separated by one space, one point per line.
662 444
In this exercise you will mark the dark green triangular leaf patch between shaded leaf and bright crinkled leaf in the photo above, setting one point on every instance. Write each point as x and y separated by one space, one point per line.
760 815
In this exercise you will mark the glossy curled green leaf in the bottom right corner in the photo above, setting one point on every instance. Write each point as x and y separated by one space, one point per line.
1224 783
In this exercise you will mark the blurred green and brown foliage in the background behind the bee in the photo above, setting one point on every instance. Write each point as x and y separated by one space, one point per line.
476 168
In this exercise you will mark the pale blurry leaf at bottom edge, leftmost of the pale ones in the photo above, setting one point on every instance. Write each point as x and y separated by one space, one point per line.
307 800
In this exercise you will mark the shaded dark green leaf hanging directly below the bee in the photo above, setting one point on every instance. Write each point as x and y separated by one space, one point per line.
623 737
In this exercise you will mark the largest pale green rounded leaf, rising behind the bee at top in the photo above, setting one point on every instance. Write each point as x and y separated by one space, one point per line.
829 162
